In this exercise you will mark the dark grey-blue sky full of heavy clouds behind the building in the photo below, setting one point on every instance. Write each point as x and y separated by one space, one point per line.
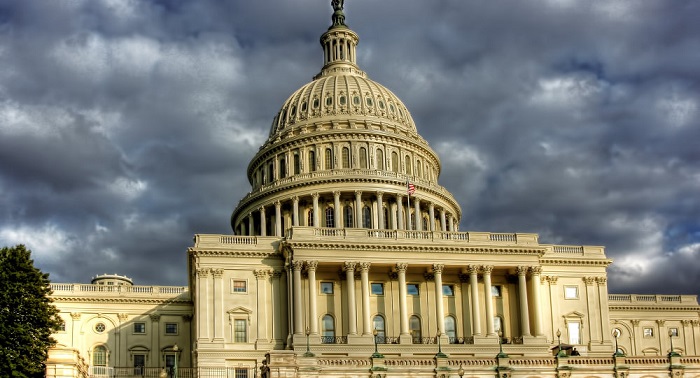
126 126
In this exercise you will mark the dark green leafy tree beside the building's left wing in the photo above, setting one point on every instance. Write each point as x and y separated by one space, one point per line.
27 317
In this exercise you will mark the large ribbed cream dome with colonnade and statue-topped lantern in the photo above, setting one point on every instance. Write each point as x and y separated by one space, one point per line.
342 152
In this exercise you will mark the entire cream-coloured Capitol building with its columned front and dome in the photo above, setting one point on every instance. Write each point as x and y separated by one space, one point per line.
346 260
